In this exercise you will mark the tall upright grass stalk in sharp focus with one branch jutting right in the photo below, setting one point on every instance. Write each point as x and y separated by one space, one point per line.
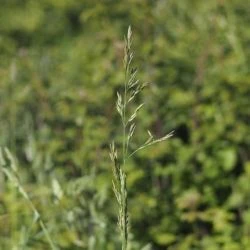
131 88
